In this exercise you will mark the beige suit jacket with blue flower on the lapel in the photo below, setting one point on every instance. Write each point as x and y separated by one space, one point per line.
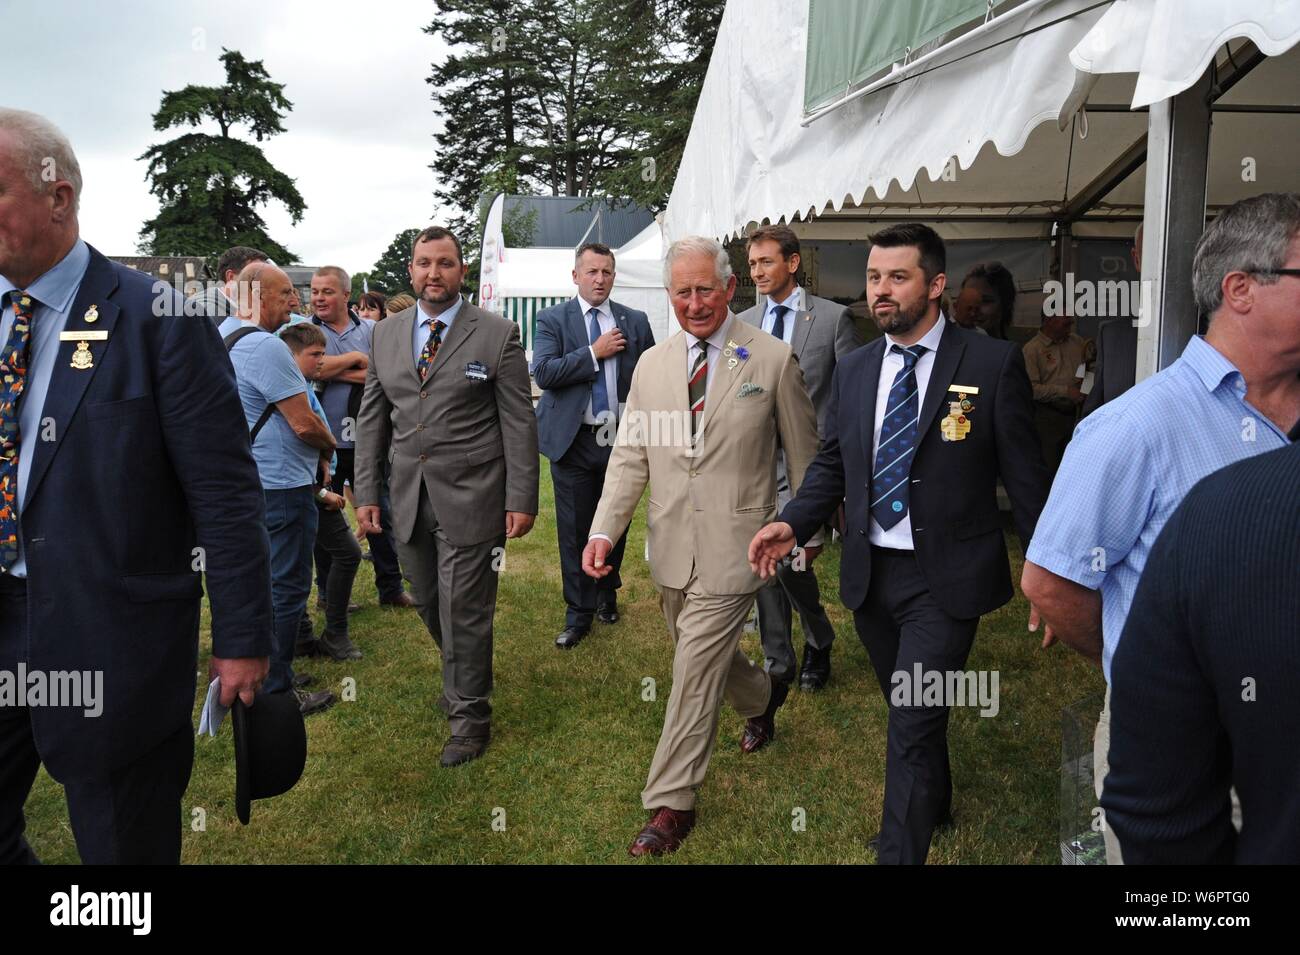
708 501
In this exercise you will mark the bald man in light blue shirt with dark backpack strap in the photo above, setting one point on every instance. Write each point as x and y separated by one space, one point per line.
289 441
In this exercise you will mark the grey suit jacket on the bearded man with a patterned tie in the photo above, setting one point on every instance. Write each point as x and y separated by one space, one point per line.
471 442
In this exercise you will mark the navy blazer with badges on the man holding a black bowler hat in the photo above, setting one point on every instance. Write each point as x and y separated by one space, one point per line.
150 462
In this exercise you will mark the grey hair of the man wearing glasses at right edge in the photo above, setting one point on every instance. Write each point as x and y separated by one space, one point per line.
1251 236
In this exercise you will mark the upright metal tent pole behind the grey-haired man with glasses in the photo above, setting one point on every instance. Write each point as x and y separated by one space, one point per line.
1178 137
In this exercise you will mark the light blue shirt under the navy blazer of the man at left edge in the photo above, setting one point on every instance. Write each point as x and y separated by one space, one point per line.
54 293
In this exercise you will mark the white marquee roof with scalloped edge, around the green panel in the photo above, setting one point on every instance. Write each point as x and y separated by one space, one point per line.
1012 89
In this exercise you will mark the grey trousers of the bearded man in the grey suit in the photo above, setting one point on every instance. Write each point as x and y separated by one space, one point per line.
454 591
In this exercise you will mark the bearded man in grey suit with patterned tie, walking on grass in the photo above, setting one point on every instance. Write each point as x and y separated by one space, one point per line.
449 403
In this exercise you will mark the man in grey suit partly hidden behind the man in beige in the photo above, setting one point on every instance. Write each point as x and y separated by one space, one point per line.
821 333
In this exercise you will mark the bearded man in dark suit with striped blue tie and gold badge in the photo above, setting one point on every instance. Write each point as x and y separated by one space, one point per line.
921 426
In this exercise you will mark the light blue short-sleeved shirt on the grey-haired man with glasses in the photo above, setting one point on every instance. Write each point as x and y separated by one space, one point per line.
1130 465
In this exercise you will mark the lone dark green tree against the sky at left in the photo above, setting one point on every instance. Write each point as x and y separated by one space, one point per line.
210 188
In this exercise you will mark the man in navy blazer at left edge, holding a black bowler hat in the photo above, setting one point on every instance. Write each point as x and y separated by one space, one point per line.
127 476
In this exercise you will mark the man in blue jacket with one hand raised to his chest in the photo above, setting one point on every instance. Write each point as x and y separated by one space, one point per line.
583 358
